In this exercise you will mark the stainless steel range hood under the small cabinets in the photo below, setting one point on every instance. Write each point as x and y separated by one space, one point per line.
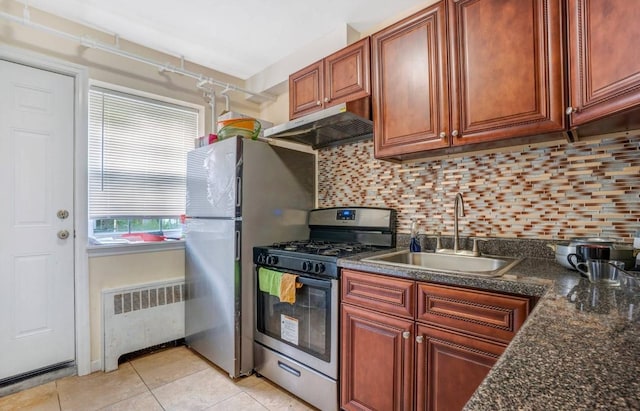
340 124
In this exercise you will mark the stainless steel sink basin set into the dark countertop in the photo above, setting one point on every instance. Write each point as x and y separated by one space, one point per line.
486 266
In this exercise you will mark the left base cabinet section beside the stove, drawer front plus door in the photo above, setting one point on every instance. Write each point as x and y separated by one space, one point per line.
376 346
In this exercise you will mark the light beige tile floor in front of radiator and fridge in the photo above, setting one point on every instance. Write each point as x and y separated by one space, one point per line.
173 379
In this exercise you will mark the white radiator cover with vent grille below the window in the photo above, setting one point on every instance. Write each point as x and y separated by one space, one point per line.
139 317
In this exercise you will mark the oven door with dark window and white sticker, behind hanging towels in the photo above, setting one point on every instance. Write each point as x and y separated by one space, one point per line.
307 330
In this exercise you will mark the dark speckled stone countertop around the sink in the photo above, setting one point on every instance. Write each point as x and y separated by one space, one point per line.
578 350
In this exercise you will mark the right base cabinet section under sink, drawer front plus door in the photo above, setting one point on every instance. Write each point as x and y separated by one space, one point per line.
461 333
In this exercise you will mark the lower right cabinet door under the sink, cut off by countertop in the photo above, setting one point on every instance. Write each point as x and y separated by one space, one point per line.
450 366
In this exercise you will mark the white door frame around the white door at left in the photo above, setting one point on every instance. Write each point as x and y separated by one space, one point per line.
80 181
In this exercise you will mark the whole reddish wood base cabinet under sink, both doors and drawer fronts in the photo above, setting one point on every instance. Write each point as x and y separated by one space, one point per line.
415 345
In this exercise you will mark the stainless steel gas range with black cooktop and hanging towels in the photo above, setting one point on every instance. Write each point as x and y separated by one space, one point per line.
296 344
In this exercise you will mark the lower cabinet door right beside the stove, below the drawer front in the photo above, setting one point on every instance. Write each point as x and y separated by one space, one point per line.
376 361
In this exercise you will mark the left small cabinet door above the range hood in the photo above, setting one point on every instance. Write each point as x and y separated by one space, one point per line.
305 90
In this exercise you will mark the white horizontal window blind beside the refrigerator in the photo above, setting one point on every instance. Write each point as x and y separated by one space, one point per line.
137 155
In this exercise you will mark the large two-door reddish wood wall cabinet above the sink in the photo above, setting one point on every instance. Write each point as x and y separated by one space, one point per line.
464 74
